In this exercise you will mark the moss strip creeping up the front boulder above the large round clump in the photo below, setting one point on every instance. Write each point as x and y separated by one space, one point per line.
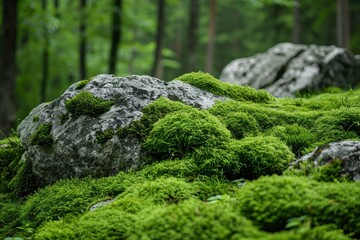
151 114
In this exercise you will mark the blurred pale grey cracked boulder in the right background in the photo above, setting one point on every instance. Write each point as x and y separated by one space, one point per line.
287 69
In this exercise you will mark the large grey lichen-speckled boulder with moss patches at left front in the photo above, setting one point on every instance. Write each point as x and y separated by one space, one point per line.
61 137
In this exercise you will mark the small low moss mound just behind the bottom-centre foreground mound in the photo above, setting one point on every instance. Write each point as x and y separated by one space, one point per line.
161 190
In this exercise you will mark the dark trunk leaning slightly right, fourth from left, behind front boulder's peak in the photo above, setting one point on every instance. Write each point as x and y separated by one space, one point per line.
116 34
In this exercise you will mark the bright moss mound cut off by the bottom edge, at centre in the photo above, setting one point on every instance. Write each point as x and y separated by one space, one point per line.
193 219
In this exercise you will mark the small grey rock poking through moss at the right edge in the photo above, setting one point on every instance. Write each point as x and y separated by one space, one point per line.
347 151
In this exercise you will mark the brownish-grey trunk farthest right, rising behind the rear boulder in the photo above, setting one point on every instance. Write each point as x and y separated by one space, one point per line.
343 23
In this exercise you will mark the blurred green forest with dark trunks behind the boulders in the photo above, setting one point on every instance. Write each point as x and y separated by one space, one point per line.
46 45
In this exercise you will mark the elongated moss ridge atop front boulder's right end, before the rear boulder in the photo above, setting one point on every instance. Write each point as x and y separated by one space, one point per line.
208 83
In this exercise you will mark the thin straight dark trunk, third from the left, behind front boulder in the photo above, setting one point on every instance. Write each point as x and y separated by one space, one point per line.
83 40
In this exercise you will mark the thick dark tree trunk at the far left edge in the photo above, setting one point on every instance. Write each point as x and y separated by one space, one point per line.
8 67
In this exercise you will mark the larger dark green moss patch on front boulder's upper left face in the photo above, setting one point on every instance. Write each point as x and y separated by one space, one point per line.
85 103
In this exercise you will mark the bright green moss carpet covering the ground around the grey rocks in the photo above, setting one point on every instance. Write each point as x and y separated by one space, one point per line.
221 173
